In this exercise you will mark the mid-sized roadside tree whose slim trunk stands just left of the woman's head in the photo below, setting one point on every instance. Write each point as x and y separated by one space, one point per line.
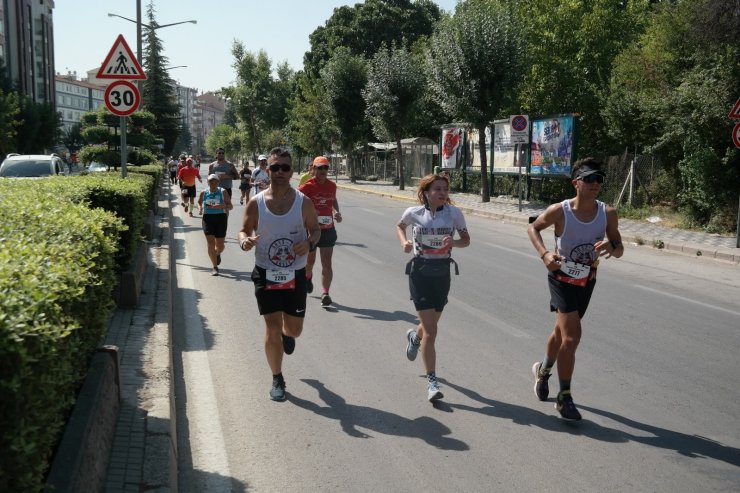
395 83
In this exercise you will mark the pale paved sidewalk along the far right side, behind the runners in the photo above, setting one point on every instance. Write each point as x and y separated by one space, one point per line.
695 243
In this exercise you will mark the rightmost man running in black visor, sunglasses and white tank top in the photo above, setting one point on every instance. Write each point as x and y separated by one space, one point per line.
580 225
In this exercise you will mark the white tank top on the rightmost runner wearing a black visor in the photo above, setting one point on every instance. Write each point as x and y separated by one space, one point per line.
578 238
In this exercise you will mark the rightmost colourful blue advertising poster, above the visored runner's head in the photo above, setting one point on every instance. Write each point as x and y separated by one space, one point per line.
552 145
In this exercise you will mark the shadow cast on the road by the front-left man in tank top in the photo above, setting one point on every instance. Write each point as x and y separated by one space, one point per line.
351 417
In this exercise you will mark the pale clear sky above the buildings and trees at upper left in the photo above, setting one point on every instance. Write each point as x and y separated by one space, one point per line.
83 33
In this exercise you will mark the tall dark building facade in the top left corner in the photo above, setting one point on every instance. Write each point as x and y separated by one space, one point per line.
27 46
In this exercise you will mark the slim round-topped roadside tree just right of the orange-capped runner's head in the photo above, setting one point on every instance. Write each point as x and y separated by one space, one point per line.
345 77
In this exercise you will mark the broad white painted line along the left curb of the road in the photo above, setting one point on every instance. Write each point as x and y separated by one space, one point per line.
208 448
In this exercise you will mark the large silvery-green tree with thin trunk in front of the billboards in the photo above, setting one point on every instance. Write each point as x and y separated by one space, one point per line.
474 65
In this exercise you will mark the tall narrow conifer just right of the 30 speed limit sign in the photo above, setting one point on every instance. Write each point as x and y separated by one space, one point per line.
157 91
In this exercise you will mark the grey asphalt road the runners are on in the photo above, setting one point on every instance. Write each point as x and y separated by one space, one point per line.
655 376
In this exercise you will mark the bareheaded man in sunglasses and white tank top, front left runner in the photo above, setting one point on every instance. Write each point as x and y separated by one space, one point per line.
281 225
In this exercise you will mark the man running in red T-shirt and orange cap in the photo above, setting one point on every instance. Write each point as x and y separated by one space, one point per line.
323 194
